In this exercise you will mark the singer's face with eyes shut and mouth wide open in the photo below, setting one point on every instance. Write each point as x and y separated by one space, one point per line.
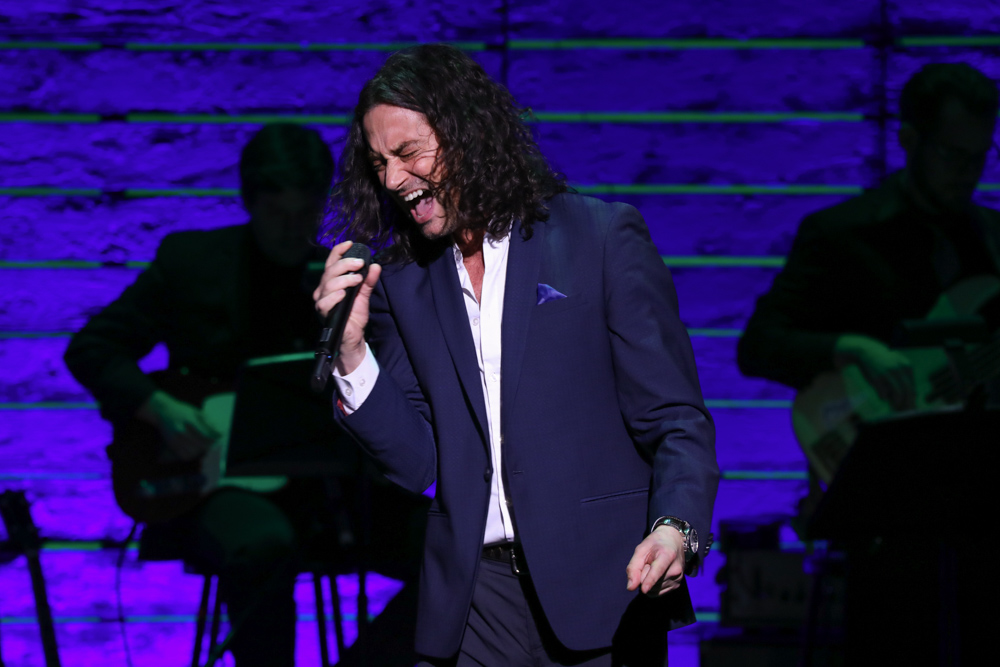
404 154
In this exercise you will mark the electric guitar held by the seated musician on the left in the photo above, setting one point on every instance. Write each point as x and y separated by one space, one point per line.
150 484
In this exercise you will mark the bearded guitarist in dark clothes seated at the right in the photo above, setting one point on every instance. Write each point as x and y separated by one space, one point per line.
915 247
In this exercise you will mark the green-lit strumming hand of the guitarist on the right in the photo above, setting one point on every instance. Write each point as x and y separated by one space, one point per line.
889 372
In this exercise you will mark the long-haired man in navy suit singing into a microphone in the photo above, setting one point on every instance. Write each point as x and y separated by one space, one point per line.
521 348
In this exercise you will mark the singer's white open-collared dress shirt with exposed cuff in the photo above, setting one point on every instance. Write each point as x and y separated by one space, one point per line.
485 323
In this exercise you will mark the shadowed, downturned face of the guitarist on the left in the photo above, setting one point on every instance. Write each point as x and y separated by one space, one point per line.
284 224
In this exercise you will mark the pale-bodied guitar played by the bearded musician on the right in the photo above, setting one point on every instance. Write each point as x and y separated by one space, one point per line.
827 414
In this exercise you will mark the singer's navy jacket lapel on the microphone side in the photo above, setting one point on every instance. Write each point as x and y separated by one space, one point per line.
450 305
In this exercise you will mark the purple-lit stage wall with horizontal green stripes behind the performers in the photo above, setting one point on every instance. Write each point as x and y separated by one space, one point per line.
723 121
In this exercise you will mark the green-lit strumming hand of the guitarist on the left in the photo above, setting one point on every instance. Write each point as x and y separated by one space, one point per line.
186 433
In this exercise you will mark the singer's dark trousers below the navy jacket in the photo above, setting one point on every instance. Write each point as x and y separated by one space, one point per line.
507 628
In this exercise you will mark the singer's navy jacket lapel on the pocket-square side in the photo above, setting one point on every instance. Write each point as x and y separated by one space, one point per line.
520 299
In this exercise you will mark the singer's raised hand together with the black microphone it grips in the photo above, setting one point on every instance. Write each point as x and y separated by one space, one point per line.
342 299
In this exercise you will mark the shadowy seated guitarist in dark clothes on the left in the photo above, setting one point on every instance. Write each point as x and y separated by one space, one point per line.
217 298
